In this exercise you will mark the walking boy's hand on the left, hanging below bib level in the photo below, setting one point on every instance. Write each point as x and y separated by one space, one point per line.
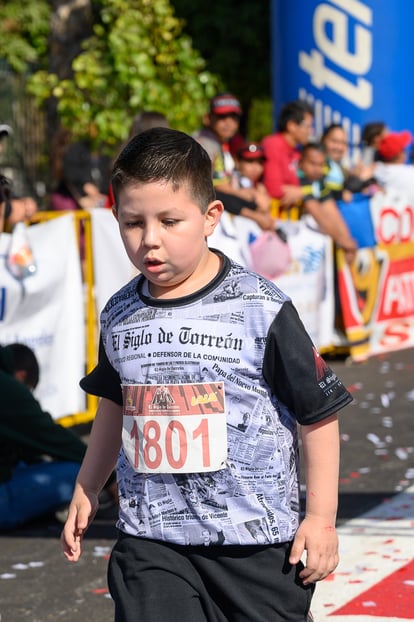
82 509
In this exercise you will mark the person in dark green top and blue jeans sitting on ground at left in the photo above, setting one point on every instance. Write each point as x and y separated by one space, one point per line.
39 459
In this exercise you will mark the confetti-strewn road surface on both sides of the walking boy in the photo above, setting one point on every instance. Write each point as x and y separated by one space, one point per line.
375 579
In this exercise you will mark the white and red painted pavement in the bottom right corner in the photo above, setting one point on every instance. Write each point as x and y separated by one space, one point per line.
375 578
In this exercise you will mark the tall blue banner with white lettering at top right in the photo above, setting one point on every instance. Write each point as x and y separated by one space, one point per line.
352 60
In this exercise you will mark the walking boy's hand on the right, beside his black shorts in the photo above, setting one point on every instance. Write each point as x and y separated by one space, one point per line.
318 537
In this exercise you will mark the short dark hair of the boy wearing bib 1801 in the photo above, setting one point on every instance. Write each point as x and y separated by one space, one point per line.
166 155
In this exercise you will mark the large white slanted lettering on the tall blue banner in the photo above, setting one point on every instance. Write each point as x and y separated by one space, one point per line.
334 66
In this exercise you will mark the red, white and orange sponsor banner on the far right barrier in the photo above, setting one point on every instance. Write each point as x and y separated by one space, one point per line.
377 292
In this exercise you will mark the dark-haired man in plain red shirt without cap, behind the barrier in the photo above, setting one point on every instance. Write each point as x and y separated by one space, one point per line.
282 153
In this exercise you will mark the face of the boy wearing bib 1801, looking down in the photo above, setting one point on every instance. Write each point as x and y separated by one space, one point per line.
164 234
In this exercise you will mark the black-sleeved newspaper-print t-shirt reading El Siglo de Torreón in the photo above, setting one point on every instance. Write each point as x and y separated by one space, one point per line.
229 333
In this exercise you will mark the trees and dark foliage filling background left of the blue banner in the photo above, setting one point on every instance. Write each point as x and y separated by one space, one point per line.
99 62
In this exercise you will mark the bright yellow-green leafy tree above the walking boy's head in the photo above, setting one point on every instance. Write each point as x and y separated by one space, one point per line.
137 58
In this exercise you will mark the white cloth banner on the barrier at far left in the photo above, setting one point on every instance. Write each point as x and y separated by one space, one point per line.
46 312
